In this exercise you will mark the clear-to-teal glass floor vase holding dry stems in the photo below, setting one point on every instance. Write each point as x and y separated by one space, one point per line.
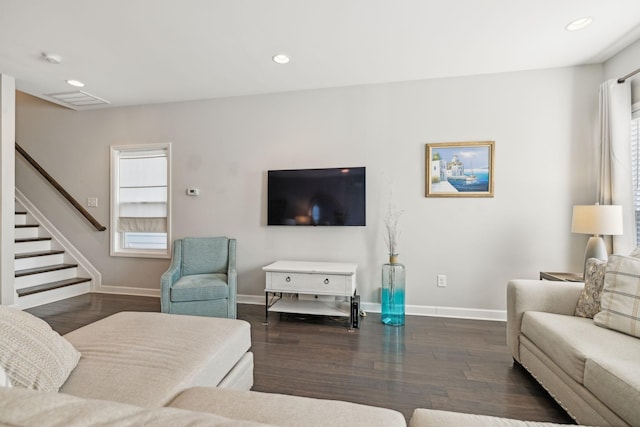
393 274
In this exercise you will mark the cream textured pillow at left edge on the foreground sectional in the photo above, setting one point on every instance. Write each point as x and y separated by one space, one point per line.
32 354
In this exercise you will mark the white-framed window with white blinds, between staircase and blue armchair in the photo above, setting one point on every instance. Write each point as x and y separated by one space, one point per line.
140 200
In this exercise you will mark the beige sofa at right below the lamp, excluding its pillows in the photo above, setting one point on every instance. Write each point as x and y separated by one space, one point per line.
591 371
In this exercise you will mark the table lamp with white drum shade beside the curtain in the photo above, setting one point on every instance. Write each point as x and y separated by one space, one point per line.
597 220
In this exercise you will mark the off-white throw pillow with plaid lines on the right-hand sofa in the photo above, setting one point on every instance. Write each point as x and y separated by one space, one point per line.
620 300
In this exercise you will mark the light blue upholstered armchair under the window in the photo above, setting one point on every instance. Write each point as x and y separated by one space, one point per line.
202 278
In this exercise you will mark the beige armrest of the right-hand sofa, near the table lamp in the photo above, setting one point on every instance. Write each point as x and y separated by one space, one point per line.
537 295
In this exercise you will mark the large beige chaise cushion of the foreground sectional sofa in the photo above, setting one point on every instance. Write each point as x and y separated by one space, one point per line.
146 359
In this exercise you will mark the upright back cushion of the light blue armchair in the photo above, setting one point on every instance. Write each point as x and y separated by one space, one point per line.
204 255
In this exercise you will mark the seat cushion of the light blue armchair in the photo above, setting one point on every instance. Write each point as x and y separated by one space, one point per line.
200 287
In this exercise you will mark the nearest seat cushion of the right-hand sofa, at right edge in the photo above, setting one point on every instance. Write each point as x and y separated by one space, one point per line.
617 384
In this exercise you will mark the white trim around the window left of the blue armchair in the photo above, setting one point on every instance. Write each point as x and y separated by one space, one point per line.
116 250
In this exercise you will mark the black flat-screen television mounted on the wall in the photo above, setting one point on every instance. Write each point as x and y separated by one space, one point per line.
334 196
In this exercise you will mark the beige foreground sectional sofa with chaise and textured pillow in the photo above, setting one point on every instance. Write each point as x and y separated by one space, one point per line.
156 369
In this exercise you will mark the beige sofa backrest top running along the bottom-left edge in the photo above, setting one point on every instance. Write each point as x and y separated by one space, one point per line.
26 408
